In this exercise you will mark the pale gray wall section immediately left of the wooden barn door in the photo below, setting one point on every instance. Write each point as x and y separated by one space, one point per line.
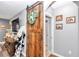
22 20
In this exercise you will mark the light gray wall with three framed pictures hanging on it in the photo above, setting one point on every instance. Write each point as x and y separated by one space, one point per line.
66 41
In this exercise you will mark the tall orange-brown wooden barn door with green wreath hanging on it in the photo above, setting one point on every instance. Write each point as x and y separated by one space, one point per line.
35 30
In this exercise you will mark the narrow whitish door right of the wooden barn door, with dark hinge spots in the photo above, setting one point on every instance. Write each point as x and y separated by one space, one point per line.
48 34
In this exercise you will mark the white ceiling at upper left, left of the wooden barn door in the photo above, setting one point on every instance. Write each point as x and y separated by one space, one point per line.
8 9
